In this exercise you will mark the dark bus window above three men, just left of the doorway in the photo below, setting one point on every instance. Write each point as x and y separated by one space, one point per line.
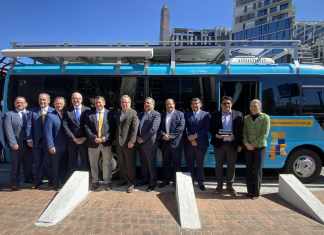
182 90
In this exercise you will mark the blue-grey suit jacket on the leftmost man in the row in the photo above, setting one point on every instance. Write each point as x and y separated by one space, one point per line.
15 128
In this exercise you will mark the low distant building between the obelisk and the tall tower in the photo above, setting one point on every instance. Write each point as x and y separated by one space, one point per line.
199 37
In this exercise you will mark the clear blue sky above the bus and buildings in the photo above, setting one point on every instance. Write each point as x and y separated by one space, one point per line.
117 21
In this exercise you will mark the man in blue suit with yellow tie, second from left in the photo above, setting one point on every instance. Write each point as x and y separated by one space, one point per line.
41 164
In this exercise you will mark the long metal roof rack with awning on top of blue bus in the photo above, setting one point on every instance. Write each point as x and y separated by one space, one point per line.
172 52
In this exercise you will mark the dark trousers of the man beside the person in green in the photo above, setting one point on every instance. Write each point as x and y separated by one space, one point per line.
226 152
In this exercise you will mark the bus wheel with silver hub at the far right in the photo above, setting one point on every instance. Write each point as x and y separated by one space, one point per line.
305 164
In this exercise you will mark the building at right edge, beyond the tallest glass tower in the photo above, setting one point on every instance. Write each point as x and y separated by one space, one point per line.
309 32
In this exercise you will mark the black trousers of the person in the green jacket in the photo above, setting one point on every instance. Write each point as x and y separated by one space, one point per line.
254 165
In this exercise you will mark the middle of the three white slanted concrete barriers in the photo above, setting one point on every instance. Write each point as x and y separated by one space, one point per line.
187 205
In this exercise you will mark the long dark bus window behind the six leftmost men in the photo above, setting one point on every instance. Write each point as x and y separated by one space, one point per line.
89 86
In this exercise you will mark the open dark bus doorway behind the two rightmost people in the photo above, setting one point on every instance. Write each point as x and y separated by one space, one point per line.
242 92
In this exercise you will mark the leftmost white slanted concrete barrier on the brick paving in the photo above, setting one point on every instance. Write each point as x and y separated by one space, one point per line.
71 195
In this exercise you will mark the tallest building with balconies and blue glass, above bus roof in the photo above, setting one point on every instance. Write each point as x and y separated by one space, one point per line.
263 20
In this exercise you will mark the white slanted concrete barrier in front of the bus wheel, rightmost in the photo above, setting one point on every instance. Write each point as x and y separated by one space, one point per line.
296 194
